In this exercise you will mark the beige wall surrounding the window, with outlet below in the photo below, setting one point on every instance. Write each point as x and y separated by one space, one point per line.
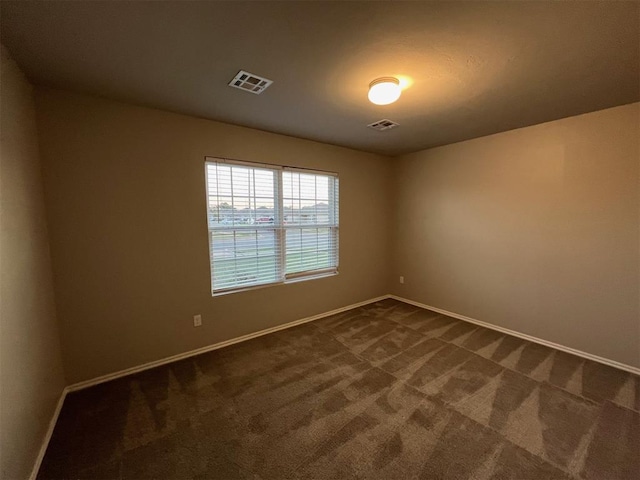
126 195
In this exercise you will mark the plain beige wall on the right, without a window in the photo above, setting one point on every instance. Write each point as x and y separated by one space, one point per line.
535 230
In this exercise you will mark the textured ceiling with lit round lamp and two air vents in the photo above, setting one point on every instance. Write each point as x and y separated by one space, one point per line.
472 68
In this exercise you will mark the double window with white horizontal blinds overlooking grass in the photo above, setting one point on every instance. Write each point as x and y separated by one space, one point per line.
269 224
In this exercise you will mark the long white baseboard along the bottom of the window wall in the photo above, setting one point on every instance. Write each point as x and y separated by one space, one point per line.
225 343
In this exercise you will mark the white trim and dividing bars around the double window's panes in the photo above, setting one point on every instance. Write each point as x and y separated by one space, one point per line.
280 229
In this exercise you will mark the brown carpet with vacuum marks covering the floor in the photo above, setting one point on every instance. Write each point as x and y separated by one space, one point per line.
385 391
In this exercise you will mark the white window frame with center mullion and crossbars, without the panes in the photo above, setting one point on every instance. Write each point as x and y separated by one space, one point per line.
279 226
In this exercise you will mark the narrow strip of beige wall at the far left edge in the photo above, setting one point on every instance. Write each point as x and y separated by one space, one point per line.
30 360
